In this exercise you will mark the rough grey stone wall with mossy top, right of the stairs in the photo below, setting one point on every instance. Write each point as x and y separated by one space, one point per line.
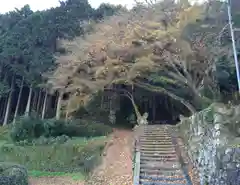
213 143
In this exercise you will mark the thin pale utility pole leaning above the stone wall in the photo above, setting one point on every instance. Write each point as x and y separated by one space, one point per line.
233 42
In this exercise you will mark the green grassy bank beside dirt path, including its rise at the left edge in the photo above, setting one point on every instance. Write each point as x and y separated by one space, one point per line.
75 158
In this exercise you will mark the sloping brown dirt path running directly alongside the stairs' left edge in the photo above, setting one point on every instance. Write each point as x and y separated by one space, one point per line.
116 168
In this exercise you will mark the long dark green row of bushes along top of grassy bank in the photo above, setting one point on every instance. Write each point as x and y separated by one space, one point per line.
27 129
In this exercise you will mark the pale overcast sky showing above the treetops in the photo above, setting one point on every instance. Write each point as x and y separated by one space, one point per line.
45 4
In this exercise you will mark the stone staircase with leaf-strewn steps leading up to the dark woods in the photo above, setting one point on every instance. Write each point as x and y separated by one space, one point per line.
158 160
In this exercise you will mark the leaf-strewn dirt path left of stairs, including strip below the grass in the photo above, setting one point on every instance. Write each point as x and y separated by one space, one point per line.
116 167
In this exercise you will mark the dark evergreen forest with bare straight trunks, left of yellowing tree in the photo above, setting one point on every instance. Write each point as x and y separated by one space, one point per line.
28 43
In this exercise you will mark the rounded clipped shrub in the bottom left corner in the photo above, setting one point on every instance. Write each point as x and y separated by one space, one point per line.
12 174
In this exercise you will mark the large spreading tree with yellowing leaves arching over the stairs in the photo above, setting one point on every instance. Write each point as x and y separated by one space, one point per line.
144 47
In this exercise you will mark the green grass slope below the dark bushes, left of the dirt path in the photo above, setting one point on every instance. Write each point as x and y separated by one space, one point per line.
67 157
